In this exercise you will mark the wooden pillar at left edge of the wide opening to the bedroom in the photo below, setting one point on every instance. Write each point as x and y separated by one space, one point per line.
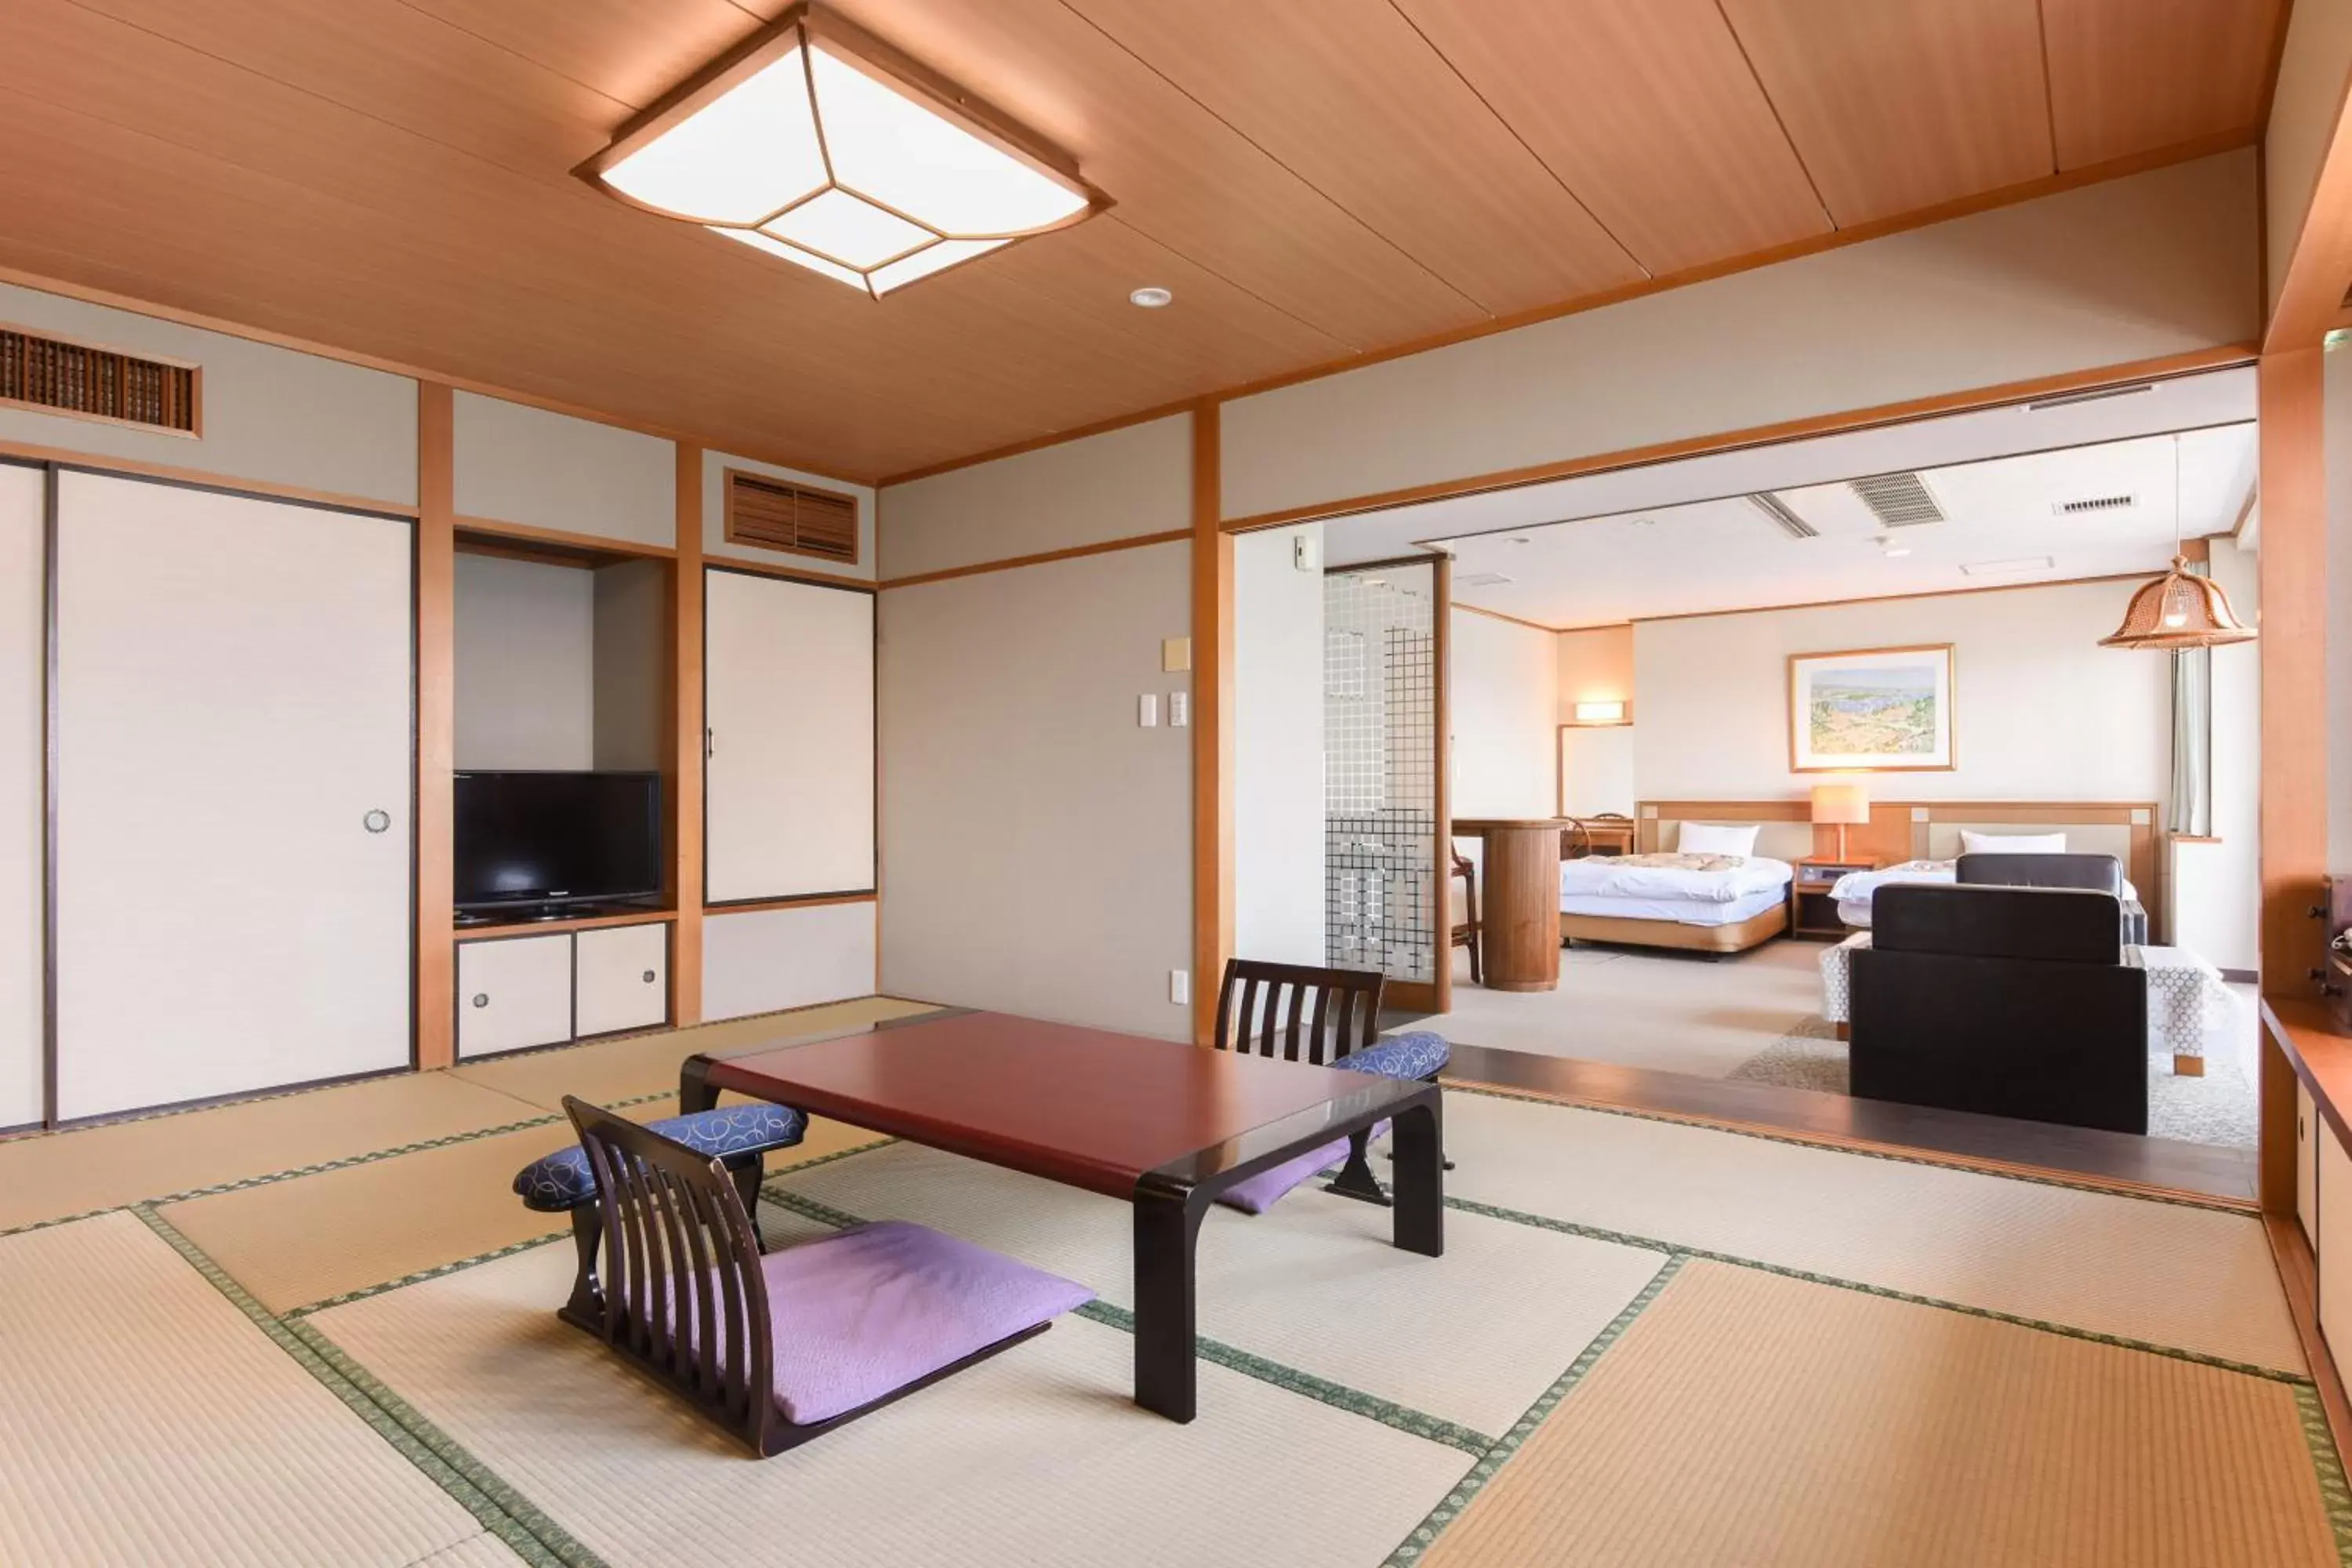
1212 725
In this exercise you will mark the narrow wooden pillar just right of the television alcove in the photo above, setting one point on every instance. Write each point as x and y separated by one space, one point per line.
683 746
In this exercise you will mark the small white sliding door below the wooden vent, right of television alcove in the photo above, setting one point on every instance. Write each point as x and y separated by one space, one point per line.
789 676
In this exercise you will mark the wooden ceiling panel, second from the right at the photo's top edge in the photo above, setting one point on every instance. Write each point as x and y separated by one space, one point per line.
1904 105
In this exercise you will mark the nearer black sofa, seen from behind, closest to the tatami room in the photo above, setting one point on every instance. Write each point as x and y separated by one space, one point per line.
2003 1000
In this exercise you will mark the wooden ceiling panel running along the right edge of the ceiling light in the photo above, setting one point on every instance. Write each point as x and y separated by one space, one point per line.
1180 173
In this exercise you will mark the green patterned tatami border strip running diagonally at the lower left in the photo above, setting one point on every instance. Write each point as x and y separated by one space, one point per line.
476 1489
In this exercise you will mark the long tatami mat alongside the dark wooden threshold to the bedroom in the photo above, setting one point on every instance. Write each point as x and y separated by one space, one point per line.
2163 1273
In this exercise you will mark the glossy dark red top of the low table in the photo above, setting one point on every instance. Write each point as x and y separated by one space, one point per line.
1090 1108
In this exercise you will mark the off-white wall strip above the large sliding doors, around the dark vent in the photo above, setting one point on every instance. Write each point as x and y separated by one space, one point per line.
269 413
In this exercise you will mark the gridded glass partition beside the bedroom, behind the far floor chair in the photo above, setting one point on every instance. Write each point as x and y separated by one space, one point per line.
1382 772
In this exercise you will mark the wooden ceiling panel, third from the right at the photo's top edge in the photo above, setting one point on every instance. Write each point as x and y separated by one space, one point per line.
1650 114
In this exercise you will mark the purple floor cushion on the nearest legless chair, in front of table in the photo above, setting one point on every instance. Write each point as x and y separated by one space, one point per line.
881 1306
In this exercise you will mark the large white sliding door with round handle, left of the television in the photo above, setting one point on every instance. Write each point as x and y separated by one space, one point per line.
232 796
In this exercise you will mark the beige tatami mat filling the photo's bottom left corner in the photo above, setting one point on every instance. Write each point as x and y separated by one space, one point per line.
149 1421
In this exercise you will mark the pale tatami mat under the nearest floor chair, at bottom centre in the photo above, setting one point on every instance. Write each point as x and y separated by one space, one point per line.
1036 1459
